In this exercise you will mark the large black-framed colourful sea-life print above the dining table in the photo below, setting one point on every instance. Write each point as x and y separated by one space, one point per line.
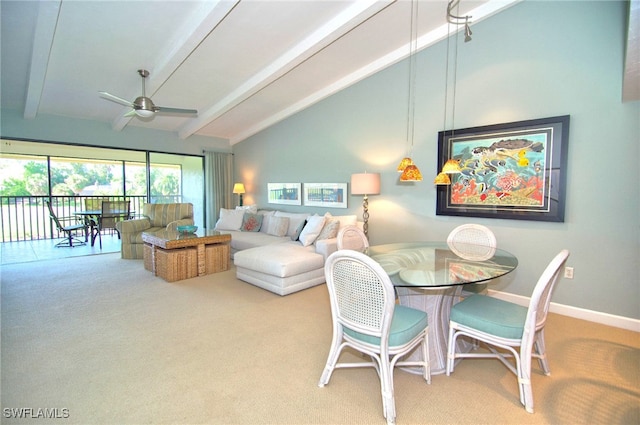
514 171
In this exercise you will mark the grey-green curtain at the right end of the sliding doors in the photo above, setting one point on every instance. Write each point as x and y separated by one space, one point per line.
218 177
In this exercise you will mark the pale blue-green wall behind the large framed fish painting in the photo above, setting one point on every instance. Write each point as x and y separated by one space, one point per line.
534 60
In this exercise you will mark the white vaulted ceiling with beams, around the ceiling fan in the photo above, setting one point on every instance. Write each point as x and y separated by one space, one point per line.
243 64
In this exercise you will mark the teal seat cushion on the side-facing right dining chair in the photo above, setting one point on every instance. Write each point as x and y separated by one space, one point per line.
491 315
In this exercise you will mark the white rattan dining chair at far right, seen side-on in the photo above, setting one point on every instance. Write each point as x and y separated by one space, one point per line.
511 327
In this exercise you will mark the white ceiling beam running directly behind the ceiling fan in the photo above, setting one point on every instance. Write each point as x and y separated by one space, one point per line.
192 33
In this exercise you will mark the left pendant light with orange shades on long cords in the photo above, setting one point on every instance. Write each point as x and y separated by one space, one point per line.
410 171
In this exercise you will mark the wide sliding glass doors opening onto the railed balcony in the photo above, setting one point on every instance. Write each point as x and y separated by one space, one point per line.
32 172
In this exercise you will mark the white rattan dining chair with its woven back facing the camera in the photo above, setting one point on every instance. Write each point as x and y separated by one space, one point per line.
367 319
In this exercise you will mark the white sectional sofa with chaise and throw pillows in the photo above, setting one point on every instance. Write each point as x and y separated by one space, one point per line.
279 251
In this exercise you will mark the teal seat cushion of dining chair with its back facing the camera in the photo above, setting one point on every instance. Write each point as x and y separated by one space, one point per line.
405 325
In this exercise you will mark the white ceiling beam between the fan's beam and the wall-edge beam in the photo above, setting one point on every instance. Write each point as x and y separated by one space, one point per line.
355 14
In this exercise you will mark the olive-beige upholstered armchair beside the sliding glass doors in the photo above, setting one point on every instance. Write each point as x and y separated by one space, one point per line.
155 217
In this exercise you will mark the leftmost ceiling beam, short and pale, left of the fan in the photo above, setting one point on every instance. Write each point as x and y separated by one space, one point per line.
48 12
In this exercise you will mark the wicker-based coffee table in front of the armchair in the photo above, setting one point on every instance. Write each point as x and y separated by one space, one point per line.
176 256
